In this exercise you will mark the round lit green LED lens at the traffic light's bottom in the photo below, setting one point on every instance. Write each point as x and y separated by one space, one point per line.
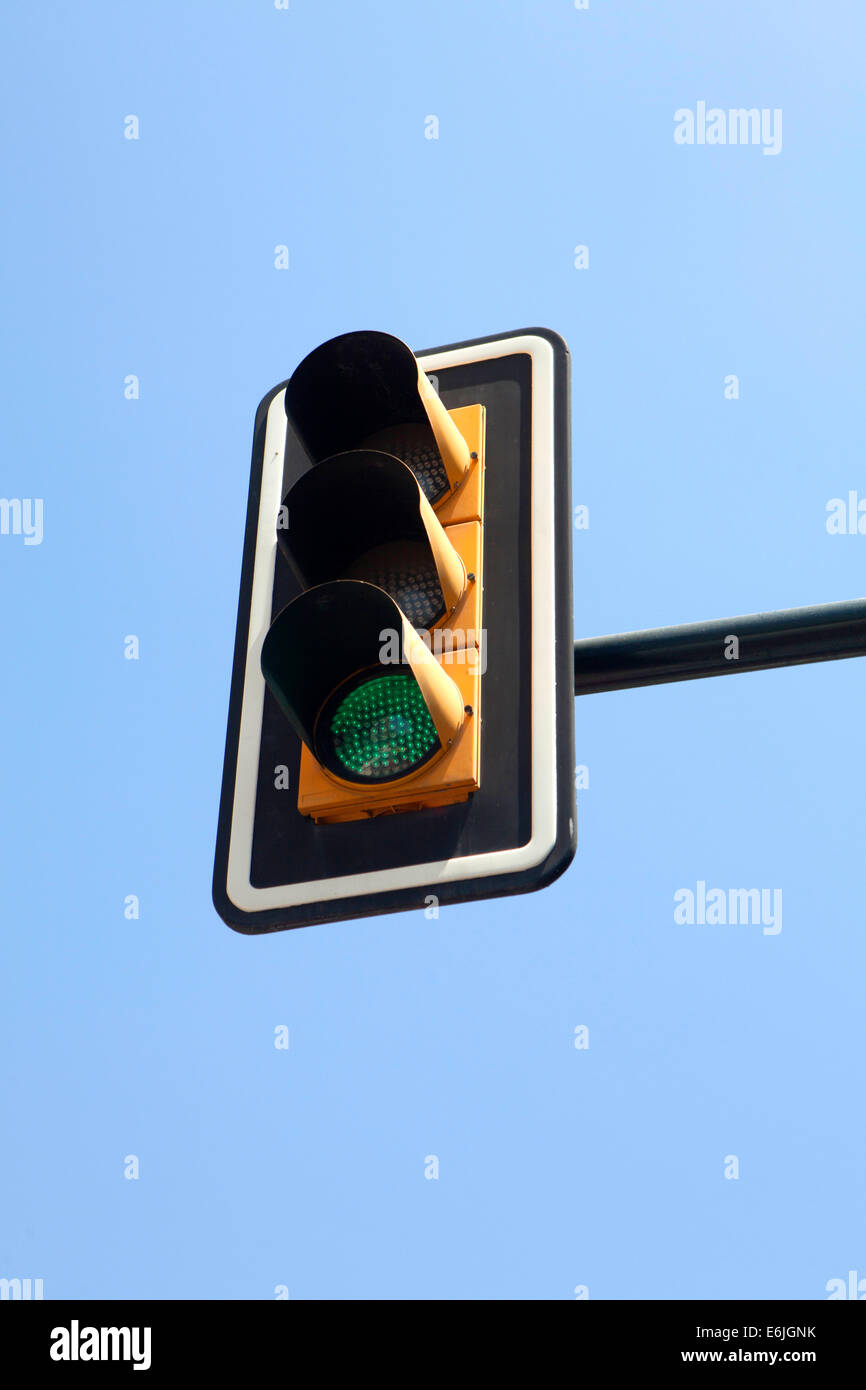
383 729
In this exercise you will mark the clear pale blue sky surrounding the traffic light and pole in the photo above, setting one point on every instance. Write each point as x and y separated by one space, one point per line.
412 1038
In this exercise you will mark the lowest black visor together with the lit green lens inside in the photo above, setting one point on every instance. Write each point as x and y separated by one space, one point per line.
363 719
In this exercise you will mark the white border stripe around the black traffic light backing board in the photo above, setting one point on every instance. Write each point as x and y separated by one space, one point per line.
241 892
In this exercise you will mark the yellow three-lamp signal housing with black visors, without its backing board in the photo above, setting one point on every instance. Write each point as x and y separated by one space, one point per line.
382 657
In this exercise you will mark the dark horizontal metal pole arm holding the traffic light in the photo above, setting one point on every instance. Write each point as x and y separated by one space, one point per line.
724 647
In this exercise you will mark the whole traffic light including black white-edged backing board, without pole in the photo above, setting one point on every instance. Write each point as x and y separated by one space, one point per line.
401 721
